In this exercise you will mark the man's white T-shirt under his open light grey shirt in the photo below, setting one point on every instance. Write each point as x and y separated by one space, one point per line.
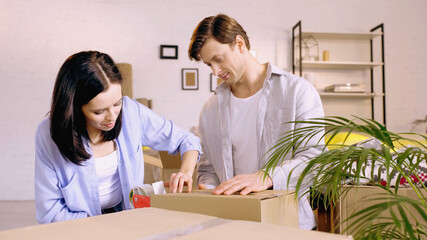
244 113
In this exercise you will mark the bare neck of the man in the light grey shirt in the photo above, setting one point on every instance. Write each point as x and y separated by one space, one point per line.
252 79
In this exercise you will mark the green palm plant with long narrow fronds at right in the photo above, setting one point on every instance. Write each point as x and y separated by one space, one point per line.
393 160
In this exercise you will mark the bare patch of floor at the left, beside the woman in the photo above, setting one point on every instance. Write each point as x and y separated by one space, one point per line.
17 214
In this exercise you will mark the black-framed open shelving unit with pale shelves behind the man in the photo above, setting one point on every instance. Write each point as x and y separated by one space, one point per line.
375 86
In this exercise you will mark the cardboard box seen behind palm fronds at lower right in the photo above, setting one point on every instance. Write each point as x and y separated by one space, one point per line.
356 200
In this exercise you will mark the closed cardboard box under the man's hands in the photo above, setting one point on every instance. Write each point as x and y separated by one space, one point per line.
277 207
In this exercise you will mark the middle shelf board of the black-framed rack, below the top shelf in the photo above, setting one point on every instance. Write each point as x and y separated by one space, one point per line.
339 65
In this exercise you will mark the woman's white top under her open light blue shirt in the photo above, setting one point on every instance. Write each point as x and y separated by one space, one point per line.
110 191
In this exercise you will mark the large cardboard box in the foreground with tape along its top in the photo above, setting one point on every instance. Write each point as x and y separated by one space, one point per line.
153 223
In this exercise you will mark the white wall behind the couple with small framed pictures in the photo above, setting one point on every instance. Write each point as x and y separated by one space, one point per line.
37 36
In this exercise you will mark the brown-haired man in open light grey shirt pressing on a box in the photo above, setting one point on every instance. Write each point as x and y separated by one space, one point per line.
246 116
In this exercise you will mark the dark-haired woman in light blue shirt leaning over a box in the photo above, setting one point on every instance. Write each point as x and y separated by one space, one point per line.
89 151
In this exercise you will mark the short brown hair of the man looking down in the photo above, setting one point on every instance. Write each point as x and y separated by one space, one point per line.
221 27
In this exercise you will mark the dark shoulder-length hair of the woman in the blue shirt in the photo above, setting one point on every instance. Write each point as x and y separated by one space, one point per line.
81 78
